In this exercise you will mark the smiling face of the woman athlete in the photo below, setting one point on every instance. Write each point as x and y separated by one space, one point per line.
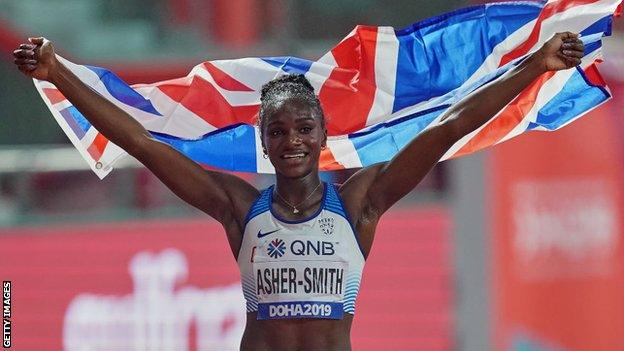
293 137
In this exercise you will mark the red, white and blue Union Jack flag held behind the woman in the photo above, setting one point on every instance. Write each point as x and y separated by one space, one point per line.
379 88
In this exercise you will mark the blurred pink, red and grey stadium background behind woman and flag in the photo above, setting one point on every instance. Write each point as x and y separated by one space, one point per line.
516 248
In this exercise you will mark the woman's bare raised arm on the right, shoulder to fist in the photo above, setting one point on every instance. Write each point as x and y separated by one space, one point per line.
374 189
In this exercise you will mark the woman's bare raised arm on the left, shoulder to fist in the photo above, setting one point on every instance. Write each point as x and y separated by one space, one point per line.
222 196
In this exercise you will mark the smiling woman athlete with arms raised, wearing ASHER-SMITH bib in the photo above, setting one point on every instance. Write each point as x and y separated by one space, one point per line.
300 244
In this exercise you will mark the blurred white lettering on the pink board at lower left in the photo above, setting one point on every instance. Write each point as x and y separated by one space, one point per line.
160 314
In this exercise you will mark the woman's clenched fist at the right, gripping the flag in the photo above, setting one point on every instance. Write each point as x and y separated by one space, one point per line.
562 51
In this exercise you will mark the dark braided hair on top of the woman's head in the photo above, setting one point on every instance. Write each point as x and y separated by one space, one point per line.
293 87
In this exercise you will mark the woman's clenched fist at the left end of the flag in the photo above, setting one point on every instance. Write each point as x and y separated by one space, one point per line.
36 59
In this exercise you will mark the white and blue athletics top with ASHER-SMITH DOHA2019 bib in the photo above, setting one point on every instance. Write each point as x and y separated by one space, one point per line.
300 269
